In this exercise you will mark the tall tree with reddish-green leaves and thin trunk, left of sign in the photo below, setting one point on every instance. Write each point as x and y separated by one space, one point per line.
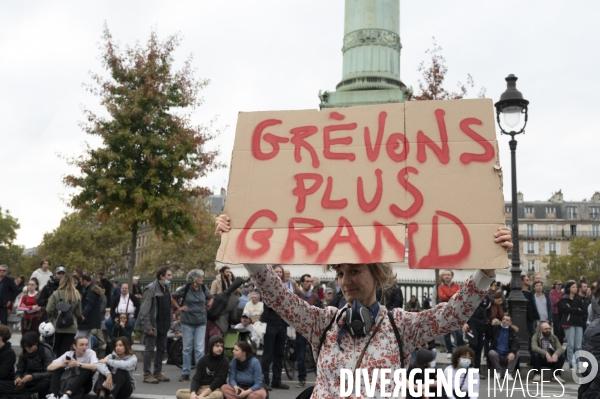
151 154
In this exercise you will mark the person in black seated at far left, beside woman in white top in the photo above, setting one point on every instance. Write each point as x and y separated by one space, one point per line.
31 377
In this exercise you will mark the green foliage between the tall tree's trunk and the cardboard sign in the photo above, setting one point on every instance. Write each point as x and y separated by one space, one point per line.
189 251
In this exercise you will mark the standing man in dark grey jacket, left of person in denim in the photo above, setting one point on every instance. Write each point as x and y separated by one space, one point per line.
154 321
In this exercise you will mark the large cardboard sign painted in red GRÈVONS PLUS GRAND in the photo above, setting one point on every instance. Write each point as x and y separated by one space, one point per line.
359 184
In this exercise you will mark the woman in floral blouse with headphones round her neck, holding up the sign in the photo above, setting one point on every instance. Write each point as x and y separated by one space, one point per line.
364 334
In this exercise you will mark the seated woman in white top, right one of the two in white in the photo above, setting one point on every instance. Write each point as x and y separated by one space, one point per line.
115 372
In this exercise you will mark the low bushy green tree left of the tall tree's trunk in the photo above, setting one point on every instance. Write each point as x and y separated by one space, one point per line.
80 241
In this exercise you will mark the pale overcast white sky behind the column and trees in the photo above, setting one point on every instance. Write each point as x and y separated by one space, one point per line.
270 55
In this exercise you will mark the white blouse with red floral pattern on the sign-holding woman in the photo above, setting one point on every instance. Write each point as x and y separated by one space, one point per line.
383 351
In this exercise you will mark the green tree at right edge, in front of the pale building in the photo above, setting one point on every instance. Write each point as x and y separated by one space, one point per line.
583 259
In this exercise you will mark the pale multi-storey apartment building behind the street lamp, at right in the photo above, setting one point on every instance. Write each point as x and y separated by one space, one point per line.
547 227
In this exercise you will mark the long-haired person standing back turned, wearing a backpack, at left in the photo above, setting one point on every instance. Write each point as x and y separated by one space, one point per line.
64 308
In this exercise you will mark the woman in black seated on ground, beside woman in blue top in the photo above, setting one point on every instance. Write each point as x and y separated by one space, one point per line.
211 373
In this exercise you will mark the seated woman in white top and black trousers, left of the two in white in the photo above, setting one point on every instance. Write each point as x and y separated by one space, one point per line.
80 364
